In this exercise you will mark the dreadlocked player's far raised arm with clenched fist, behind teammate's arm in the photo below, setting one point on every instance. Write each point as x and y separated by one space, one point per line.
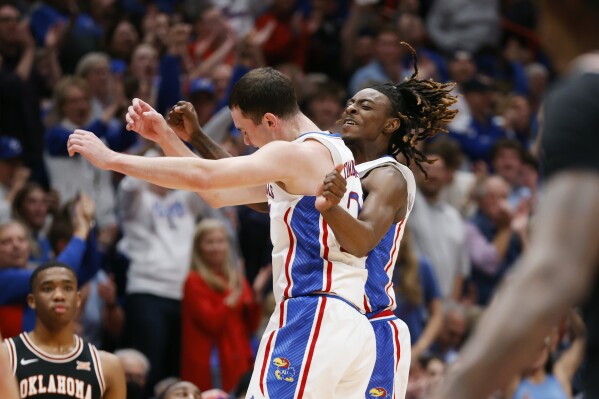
184 121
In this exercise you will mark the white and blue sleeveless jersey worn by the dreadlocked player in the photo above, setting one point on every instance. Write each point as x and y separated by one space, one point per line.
381 259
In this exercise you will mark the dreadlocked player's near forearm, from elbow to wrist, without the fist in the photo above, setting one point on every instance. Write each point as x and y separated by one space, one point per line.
354 236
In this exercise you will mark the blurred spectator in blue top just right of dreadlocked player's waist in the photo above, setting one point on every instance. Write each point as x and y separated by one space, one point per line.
418 297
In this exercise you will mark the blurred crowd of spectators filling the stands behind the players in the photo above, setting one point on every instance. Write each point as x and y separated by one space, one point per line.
181 290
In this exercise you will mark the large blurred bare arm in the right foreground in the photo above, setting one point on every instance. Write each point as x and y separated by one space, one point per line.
556 273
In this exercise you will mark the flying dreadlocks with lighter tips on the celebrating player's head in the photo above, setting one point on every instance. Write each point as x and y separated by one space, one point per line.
423 107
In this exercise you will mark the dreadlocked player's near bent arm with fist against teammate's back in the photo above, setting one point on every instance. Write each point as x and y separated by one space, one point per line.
385 203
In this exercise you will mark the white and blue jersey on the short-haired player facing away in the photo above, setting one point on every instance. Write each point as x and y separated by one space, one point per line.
306 256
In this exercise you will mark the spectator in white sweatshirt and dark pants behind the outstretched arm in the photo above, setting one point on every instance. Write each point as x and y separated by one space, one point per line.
157 225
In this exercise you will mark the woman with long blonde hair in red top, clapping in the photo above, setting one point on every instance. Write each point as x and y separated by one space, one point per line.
220 311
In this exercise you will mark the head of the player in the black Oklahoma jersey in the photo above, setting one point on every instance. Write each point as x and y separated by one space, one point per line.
55 297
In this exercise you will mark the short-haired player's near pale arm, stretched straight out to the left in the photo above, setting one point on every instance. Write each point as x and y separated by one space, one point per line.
298 166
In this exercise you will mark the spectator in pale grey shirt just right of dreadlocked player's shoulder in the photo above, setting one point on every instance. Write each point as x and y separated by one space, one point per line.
438 230
